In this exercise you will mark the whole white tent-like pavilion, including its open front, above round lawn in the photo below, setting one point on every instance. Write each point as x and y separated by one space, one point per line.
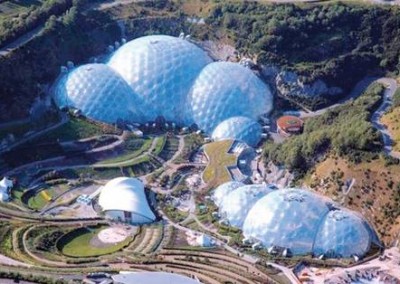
123 199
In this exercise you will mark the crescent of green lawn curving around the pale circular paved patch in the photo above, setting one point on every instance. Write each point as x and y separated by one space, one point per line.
77 243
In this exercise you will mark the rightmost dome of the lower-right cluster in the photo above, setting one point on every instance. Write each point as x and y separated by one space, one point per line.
343 234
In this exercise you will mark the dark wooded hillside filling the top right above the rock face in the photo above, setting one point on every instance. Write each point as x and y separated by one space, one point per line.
339 43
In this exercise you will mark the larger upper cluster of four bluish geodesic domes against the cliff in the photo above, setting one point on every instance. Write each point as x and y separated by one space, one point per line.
171 77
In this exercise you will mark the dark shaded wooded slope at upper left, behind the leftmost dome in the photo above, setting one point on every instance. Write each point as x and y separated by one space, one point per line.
76 36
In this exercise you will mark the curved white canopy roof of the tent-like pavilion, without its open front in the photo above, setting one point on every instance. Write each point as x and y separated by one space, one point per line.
126 194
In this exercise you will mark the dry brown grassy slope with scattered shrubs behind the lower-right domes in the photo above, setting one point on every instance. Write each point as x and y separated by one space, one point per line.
373 192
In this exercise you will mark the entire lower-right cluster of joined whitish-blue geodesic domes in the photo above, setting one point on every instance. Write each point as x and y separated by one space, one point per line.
294 219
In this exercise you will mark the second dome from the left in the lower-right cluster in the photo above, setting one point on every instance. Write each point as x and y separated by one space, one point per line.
236 204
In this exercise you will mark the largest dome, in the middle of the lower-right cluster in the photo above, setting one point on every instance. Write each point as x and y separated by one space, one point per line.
287 218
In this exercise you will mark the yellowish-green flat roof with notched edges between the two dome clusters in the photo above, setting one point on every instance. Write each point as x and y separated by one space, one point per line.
216 171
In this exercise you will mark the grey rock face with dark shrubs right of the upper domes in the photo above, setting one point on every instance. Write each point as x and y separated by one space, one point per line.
288 84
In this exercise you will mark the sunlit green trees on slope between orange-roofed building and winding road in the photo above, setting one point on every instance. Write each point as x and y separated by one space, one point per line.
344 130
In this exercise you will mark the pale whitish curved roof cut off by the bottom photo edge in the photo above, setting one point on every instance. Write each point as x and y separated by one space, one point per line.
153 278
